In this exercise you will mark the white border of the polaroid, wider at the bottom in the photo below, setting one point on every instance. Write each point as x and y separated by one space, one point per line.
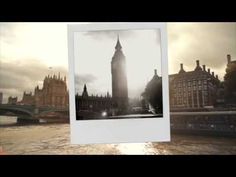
119 130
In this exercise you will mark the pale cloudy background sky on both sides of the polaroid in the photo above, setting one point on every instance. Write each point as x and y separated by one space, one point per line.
27 50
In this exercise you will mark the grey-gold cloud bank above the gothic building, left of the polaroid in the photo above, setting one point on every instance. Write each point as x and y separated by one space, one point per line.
19 76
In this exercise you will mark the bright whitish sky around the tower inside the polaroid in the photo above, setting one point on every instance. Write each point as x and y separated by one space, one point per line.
94 52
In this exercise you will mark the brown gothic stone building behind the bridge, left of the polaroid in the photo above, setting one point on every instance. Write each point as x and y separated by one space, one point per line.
53 93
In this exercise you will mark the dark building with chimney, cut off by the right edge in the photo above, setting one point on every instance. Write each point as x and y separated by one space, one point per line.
230 81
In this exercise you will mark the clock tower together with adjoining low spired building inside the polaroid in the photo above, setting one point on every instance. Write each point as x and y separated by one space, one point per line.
118 102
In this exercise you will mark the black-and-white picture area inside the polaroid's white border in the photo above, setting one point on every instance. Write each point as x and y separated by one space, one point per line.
118 74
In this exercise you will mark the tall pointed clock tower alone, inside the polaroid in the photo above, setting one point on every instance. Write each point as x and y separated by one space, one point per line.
119 80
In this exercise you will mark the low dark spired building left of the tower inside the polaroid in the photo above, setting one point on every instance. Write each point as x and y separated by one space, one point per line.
93 104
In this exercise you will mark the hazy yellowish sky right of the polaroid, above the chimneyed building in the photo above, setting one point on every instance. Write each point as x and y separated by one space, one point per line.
207 42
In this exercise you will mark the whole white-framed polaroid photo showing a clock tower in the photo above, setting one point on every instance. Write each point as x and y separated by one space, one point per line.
118 83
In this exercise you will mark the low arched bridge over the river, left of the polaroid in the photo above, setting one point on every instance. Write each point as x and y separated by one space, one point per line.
30 112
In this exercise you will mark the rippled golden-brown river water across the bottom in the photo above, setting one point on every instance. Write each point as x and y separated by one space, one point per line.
55 139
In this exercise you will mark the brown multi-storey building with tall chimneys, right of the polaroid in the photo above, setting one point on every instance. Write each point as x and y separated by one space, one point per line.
193 89
